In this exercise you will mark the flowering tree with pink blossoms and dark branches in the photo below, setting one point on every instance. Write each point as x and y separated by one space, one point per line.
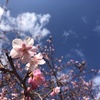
29 72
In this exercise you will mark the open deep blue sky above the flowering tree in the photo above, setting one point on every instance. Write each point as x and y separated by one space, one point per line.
74 25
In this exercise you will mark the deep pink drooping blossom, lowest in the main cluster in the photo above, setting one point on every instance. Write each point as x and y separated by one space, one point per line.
37 79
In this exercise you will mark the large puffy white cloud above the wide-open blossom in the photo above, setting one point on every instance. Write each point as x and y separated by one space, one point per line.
31 23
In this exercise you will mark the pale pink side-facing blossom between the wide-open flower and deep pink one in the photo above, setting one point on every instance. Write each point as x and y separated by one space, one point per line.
35 61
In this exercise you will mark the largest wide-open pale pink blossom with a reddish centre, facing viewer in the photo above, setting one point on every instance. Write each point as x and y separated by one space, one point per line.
23 49
